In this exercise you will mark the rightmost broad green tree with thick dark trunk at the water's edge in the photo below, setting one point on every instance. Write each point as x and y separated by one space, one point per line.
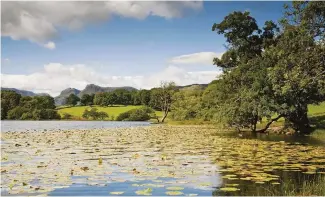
297 73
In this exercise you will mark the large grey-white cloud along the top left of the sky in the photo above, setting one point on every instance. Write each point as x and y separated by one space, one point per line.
39 21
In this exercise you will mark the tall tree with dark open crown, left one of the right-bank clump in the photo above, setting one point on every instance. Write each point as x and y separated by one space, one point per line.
240 93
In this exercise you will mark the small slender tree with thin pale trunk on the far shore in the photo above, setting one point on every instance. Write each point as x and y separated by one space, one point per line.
161 97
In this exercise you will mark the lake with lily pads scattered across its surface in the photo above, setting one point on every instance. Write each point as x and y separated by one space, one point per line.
152 160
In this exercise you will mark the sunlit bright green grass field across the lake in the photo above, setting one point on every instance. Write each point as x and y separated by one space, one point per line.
112 111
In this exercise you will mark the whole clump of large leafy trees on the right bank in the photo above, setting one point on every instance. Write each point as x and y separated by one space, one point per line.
268 71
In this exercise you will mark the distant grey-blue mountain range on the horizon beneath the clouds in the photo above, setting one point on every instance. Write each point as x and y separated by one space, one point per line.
89 89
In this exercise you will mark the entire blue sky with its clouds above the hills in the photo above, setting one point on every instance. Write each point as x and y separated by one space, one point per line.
50 46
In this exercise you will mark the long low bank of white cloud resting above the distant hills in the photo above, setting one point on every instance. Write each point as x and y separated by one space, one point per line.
55 77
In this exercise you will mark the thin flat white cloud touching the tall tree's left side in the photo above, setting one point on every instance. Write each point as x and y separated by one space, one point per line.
204 58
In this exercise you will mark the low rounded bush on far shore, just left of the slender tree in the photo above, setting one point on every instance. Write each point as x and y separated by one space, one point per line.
141 114
